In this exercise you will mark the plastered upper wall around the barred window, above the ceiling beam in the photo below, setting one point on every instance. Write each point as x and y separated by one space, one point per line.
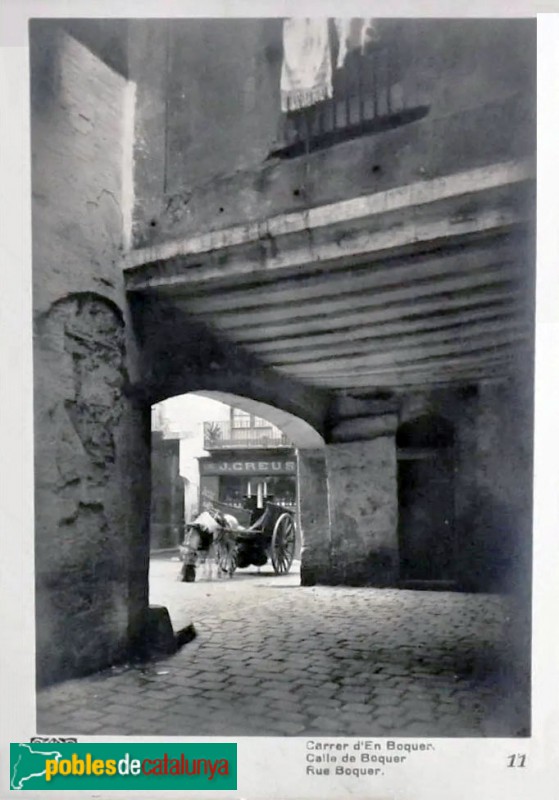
208 117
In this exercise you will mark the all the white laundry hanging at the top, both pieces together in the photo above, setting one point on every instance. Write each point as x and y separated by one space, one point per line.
307 69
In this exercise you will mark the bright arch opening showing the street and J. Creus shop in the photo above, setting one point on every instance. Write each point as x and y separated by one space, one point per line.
216 451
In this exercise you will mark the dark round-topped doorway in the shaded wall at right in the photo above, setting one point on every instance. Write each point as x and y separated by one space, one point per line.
426 527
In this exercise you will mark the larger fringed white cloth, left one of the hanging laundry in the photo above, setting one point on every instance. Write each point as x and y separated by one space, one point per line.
306 76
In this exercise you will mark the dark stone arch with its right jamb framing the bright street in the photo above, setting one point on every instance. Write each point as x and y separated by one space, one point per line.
179 355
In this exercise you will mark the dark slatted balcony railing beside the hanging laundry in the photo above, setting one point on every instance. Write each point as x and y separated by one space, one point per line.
368 96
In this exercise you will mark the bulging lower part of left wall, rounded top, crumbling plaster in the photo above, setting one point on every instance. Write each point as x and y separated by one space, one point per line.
92 490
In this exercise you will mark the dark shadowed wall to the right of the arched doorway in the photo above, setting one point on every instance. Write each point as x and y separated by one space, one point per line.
493 429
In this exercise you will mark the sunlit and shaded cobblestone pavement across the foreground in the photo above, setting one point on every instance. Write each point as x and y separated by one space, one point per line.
274 658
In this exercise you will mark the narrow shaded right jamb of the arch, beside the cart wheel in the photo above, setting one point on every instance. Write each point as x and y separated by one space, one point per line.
314 523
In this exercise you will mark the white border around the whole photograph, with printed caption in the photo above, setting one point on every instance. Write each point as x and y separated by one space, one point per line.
269 767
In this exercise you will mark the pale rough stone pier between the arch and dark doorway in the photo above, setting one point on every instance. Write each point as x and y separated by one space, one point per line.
363 492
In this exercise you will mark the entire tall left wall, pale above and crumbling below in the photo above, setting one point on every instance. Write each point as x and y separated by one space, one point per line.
91 438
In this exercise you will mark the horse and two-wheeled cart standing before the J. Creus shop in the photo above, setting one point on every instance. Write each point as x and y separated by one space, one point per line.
267 534
